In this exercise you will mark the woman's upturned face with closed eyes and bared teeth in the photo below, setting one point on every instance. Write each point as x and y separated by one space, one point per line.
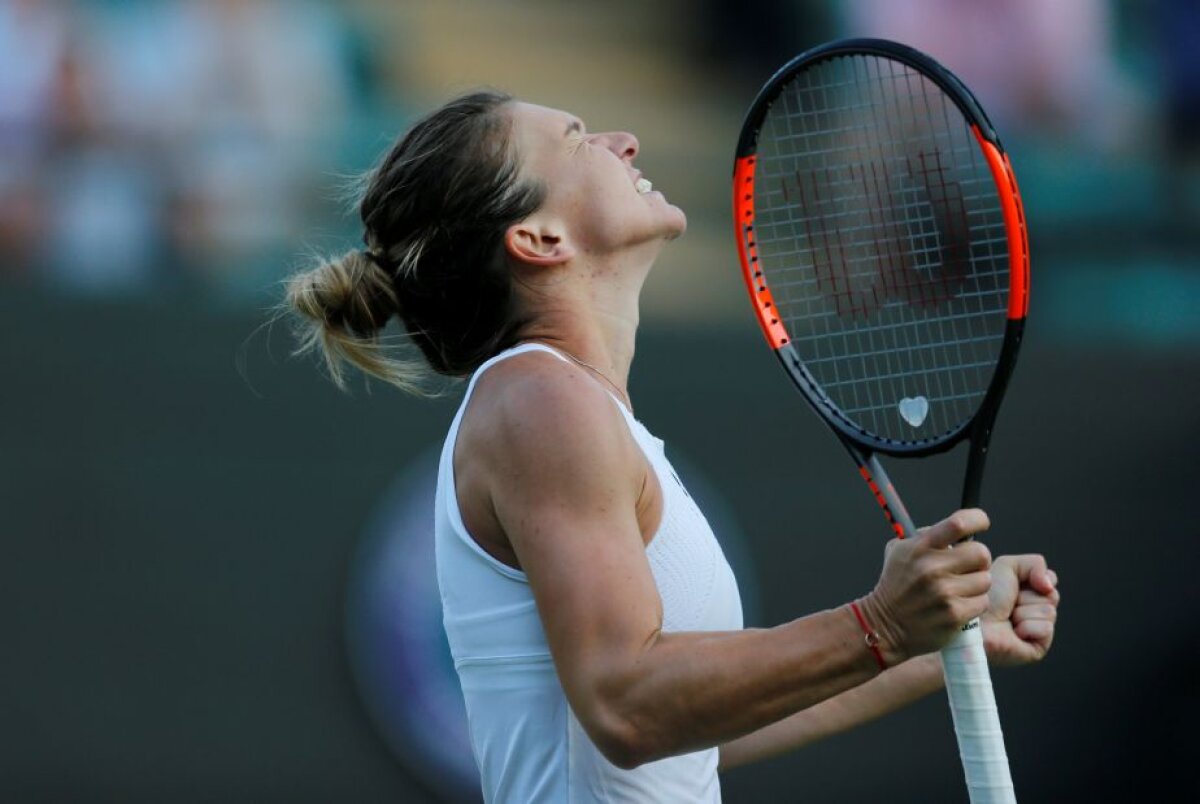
592 187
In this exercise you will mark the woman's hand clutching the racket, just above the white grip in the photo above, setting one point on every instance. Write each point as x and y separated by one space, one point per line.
928 591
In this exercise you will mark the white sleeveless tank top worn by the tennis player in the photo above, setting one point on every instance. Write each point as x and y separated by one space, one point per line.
527 743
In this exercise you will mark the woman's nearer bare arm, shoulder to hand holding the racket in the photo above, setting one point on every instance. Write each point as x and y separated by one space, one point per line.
565 487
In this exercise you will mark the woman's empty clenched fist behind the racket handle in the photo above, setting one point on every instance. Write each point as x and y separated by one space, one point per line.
1023 607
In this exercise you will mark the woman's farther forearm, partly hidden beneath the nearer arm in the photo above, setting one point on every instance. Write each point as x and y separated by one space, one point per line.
890 692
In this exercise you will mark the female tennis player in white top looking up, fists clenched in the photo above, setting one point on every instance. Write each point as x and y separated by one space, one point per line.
595 622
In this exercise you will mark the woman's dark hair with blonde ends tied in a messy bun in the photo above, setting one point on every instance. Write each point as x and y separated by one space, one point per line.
434 212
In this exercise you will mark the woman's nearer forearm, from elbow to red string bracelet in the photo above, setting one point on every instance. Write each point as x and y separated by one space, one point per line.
688 692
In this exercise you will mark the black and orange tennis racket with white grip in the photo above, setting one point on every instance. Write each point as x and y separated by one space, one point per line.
884 244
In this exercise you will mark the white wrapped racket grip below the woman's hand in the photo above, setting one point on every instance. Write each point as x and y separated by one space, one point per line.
976 719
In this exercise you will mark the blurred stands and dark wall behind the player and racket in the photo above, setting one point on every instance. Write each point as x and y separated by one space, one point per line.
215 580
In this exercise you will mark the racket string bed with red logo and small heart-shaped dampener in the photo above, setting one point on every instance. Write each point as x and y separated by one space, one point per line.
883 239
